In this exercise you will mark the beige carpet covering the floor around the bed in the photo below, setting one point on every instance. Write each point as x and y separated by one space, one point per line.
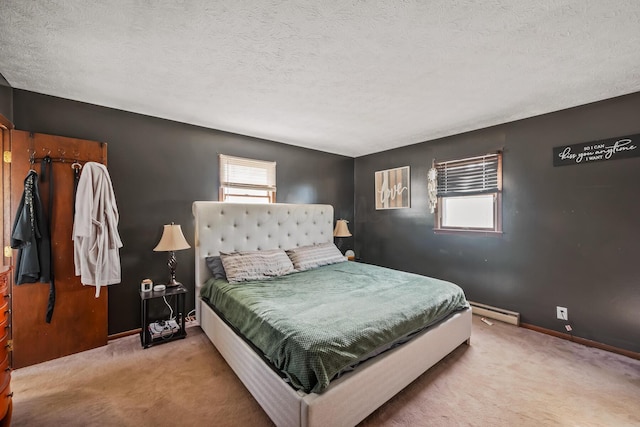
509 376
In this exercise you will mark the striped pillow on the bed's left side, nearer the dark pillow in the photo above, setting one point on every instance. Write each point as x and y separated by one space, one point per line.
255 265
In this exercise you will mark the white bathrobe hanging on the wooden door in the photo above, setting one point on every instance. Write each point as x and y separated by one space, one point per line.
96 241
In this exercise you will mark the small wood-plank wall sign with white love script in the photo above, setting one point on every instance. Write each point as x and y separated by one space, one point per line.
393 188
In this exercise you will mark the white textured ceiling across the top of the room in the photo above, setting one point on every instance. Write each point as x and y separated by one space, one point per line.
348 77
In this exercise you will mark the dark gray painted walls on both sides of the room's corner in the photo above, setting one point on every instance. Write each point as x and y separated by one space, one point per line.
570 233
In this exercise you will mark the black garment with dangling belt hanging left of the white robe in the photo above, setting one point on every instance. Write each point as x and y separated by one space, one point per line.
30 235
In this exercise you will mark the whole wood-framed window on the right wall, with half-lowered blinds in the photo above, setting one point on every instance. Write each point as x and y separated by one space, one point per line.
469 194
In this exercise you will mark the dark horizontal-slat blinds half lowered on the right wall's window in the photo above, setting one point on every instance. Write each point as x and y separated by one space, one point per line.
475 175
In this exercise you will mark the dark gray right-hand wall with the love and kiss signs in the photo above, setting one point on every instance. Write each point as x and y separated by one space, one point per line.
571 234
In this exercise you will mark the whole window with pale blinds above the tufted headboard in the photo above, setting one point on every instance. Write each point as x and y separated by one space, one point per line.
247 180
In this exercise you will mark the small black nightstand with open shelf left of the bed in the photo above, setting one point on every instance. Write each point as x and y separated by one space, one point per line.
160 330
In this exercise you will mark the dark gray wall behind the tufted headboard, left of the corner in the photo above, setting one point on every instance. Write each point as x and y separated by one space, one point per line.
159 167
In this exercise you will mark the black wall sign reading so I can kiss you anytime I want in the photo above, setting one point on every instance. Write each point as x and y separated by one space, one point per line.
597 151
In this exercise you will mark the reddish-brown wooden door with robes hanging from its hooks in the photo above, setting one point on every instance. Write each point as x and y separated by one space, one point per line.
79 319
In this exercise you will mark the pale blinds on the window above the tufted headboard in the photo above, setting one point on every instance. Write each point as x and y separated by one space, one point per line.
238 172
